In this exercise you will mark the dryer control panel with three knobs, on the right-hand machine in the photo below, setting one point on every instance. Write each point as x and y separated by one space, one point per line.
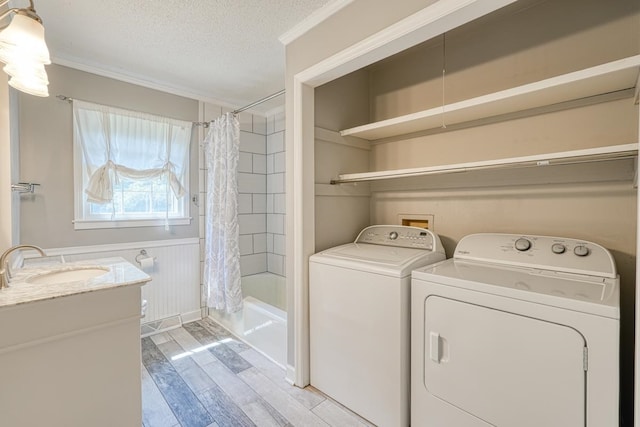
542 252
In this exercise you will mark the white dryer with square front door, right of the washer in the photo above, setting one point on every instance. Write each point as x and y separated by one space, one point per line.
516 331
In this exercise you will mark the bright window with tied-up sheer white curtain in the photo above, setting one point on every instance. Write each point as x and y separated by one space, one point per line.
131 169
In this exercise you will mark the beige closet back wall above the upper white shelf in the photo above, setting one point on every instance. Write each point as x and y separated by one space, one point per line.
527 41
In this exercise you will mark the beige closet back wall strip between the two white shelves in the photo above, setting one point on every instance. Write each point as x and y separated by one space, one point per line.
590 126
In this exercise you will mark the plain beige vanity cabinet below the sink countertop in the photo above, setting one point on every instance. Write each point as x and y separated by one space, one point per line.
72 360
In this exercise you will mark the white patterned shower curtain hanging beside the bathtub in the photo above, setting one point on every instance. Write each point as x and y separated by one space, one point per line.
222 251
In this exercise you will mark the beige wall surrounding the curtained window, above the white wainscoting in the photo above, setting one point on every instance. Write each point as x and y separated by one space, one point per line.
46 157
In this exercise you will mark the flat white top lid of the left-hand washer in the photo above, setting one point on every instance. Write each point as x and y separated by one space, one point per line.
380 259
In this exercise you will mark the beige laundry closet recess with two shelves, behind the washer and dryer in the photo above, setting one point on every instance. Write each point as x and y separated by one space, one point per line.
522 121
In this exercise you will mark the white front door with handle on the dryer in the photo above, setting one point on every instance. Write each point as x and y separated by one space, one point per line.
503 368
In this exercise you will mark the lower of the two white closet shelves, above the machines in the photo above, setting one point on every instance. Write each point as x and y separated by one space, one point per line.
611 152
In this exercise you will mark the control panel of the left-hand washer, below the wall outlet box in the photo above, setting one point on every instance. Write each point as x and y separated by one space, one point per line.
398 235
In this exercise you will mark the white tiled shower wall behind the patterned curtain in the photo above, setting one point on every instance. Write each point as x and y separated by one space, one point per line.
261 188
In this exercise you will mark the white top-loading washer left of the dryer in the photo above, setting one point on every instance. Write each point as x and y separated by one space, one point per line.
359 301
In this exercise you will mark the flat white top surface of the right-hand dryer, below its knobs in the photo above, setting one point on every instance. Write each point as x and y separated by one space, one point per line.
588 294
